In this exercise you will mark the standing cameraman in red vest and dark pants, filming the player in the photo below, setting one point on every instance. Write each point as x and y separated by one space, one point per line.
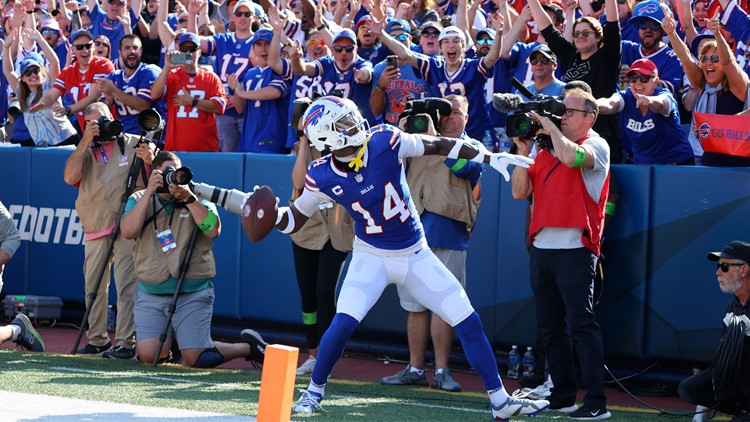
565 231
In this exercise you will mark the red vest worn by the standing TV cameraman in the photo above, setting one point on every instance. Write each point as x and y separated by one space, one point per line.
561 200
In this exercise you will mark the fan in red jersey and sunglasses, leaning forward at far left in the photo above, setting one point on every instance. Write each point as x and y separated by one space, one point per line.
78 78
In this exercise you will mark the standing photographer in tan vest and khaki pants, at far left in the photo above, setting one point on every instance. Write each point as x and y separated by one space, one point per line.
96 169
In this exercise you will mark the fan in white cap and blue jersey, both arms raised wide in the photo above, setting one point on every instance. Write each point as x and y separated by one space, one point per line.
452 72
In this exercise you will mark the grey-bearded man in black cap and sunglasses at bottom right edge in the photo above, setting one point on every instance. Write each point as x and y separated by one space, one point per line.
733 275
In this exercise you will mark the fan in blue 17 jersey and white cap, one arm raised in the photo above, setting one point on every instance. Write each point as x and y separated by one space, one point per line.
232 51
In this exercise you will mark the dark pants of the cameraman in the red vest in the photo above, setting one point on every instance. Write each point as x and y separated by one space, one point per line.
563 285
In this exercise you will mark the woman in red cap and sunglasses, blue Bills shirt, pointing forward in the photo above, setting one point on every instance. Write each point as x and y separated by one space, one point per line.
649 118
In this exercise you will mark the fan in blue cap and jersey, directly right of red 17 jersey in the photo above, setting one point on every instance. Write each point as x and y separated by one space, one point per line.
262 95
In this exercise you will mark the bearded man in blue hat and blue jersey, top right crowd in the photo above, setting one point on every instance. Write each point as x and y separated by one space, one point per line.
647 18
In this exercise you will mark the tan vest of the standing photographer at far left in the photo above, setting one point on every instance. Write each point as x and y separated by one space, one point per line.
102 186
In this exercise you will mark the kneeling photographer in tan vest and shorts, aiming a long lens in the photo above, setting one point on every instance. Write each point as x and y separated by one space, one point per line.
161 219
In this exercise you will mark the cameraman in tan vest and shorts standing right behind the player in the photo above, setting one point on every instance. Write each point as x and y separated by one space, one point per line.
446 194
